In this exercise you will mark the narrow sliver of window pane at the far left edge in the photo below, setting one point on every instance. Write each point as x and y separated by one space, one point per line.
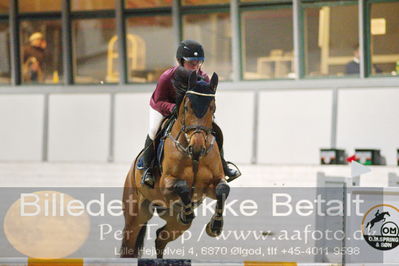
4 53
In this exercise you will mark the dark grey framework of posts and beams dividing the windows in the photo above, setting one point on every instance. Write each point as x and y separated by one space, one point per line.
120 13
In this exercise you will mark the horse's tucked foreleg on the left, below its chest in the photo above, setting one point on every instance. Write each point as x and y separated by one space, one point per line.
186 215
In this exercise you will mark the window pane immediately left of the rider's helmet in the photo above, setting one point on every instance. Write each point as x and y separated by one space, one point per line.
147 56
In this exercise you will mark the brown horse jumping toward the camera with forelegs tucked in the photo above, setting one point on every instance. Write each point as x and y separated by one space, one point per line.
191 170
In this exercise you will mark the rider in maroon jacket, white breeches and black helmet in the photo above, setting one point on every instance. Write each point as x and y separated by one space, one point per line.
189 55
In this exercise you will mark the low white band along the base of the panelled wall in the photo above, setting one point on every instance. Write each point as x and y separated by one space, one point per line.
65 174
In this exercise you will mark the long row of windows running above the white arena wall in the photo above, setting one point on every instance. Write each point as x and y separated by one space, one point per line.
328 36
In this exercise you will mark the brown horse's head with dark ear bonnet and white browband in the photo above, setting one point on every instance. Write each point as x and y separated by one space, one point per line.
196 109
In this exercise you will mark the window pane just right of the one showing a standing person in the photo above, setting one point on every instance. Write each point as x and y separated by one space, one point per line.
92 43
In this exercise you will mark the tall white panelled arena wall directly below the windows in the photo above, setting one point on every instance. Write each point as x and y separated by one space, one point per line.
273 126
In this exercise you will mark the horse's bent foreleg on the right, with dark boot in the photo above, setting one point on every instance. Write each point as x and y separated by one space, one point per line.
215 225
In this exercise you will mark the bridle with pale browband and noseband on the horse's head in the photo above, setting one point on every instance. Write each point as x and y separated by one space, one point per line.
205 131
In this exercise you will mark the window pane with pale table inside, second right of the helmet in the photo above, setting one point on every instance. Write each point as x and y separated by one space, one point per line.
267 44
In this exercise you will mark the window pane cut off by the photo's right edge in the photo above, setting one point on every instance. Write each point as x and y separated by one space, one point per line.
384 38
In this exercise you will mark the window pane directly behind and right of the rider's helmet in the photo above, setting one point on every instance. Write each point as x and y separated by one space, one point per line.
213 31
